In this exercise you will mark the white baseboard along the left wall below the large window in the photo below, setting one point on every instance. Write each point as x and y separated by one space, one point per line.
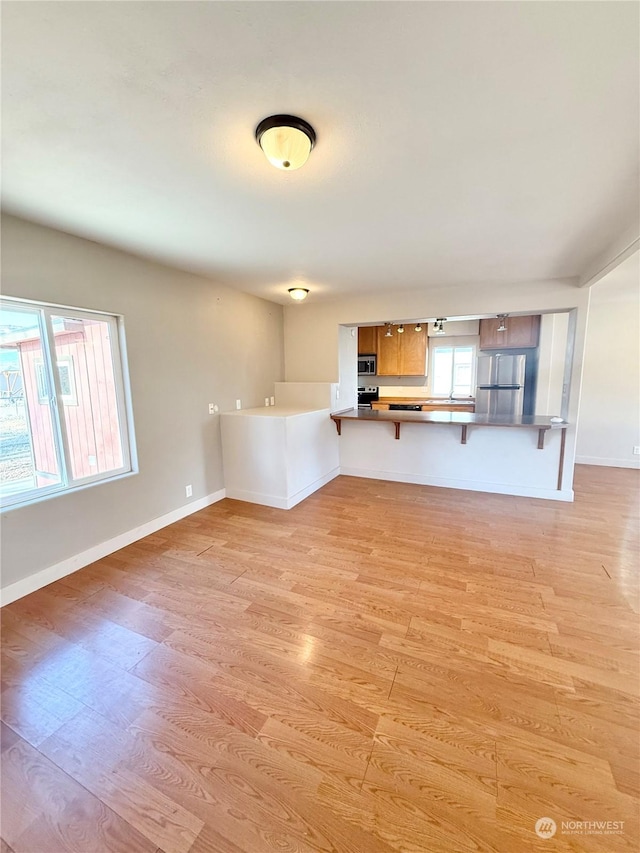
67 567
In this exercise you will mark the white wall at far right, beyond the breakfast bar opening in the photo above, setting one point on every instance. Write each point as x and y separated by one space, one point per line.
609 424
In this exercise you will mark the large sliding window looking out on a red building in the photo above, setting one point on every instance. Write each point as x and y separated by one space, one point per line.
63 413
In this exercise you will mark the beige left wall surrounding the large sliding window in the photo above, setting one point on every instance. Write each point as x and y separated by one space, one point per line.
189 341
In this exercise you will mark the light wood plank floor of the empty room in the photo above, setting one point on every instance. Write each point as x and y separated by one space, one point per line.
385 667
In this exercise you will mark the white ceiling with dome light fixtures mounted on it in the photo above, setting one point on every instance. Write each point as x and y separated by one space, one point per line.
457 142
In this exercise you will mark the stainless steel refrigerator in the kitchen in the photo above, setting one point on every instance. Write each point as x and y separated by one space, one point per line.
500 384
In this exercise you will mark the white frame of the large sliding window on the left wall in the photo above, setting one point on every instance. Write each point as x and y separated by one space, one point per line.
57 401
